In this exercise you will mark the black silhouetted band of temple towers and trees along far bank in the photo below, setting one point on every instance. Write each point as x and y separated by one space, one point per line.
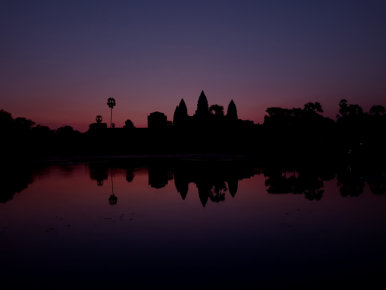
286 134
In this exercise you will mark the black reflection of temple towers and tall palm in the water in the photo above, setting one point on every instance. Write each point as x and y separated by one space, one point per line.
212 180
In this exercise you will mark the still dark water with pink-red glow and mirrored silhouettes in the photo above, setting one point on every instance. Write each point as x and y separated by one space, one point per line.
191 227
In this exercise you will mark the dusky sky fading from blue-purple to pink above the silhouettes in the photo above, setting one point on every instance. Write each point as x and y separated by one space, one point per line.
61 60
